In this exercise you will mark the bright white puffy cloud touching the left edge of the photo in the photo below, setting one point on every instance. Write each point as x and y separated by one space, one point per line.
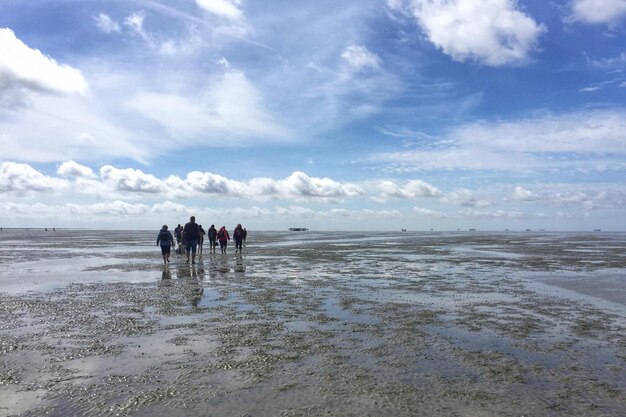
23 70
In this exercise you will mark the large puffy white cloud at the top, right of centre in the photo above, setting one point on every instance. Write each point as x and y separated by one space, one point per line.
492 32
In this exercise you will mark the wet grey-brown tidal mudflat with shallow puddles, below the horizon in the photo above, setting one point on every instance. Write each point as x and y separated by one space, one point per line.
308 324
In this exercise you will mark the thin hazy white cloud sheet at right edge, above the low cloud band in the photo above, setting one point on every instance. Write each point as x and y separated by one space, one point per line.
579 140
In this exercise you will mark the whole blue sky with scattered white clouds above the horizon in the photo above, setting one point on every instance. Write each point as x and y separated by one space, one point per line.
332 115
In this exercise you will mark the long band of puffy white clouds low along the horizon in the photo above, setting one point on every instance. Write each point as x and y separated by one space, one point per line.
117 188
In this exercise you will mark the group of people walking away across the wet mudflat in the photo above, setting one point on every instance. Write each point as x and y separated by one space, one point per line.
191 238
